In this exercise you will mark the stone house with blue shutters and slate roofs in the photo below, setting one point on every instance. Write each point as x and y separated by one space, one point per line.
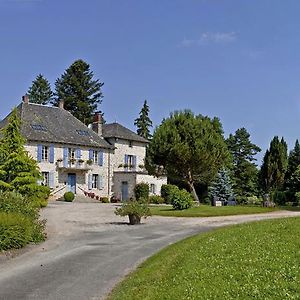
105 159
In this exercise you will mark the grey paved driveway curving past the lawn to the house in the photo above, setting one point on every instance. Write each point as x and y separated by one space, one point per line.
89 250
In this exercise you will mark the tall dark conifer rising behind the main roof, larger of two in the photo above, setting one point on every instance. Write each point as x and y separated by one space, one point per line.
79 91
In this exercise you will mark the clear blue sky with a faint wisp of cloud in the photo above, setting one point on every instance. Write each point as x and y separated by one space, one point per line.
237 60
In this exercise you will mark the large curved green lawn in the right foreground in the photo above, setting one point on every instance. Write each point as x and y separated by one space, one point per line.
258 260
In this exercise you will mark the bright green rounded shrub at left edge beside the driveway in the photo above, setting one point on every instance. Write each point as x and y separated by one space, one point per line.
15 230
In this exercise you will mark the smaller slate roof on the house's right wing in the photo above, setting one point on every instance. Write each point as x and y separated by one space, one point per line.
116 130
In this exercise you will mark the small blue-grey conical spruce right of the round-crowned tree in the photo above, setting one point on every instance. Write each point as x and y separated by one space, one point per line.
222 186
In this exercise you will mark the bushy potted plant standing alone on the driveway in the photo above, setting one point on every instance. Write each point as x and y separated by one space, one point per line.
135 210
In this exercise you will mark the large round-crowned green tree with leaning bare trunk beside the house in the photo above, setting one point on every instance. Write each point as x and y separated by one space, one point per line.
188 147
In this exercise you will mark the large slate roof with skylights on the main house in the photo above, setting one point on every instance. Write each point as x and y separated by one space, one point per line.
55 125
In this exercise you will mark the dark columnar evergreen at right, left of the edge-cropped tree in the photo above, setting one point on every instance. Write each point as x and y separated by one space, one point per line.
274 167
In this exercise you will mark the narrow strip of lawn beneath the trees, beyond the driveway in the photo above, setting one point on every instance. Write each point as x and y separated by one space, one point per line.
209 211
